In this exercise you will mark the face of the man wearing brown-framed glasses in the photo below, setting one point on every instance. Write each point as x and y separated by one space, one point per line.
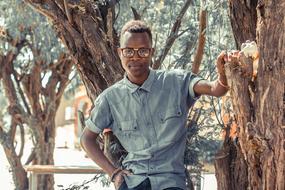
135 54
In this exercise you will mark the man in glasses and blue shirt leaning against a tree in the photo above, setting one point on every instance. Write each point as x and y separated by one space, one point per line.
147 111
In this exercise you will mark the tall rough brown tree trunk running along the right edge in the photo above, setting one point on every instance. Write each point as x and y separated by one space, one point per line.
269 131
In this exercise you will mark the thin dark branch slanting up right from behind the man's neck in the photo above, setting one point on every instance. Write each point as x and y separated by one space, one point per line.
172 37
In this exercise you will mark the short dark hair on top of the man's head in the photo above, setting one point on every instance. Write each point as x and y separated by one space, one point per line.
136 26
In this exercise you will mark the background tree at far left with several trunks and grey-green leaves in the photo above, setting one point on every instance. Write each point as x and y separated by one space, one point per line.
34 71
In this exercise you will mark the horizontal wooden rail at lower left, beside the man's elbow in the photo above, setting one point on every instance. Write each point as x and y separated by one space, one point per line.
51 169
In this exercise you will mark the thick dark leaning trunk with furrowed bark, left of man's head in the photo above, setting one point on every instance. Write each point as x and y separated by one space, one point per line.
90 38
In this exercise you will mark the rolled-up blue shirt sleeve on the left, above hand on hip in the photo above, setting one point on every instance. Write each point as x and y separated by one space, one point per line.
100 116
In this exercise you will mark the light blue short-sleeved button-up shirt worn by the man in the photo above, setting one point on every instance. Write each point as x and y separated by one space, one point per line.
149 121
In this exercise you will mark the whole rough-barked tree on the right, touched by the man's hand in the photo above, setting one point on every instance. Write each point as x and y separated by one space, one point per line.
257 161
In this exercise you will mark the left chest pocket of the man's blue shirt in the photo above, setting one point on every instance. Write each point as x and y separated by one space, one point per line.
130 135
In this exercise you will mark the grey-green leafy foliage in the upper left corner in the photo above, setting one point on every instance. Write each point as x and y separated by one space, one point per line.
21 20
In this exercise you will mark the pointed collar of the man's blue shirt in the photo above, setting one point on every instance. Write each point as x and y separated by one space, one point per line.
145 86
